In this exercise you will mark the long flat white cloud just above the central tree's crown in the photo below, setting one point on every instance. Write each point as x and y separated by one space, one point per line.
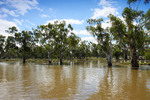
68 21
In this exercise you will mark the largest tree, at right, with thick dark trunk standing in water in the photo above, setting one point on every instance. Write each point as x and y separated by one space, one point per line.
129 33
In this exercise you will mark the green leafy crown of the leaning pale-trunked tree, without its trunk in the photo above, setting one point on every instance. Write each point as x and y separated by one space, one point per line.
102 36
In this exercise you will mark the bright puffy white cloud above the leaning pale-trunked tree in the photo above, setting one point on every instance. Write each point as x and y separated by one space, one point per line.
104 12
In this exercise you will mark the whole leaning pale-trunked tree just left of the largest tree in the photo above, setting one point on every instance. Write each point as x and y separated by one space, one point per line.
103 37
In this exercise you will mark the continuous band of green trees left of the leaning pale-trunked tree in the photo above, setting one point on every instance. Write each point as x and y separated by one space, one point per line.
52 41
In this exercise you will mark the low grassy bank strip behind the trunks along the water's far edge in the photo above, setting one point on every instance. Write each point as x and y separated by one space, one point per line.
68 61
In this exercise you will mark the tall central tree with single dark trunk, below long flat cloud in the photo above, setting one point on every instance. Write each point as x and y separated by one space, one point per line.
61 35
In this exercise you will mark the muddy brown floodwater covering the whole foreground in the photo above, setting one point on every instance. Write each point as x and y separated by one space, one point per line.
90 80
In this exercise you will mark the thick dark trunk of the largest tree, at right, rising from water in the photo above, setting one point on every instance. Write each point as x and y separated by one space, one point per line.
134 60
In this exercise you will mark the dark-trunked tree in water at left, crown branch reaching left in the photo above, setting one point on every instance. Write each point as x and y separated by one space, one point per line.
24 39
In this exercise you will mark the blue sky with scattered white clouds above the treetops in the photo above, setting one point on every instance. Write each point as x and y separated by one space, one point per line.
27 14
